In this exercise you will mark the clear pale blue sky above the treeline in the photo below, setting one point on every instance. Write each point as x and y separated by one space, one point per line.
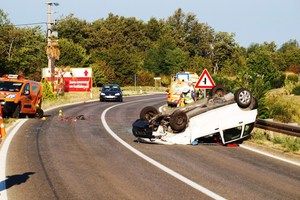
252 21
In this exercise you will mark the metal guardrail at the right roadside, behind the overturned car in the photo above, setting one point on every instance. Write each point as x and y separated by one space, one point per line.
278 127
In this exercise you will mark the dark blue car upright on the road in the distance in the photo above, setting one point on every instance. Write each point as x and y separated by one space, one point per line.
111 92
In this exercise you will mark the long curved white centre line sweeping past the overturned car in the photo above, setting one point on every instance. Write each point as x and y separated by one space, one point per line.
155 163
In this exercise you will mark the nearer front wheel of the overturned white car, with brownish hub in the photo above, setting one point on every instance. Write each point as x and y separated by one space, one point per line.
178 120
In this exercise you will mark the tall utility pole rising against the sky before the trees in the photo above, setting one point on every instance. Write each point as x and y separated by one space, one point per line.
51 59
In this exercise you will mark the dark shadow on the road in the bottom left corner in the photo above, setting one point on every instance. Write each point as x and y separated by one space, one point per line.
15 180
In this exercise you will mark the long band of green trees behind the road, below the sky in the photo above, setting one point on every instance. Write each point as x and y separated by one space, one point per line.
119 47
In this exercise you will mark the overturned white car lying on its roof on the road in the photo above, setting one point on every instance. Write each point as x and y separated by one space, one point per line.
225 119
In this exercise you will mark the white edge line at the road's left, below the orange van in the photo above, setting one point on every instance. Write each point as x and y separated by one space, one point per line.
3 155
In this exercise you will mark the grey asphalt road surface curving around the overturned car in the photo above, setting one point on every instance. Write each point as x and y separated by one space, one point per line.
66 159
